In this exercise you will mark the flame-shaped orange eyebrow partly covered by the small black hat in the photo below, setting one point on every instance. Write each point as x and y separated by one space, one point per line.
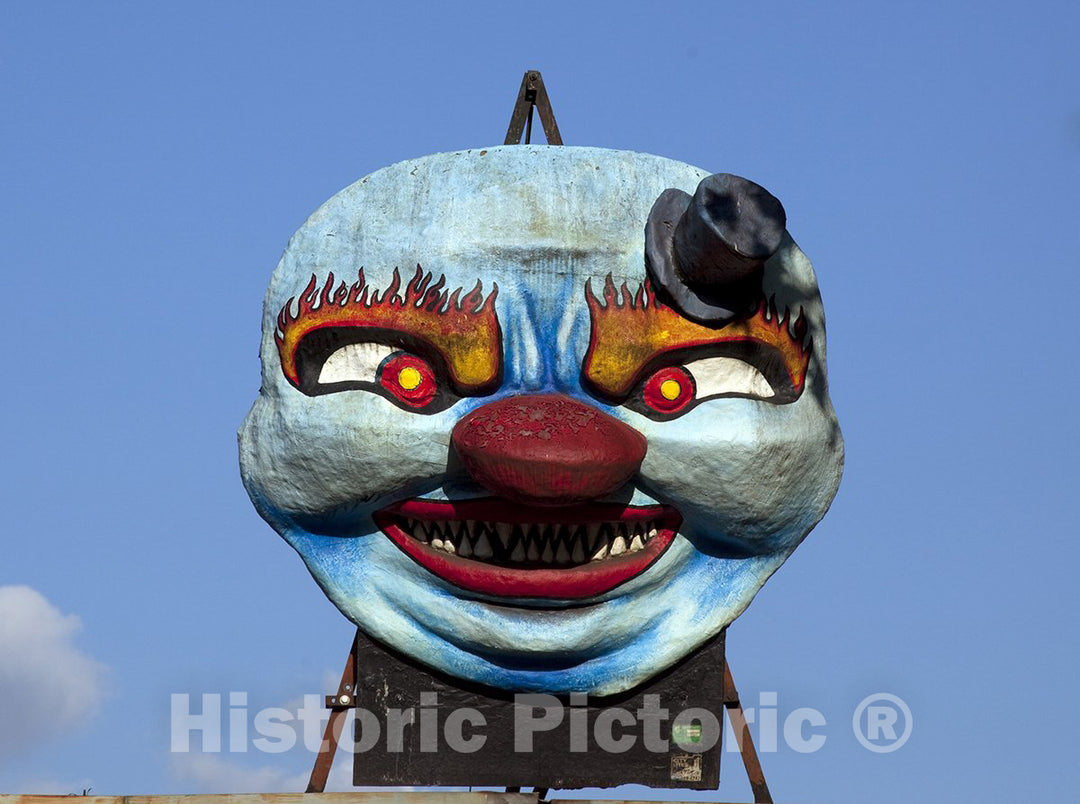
629 332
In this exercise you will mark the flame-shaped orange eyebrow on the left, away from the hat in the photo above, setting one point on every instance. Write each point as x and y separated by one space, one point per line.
465 330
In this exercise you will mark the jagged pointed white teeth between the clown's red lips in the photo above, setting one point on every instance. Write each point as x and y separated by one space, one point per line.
536 545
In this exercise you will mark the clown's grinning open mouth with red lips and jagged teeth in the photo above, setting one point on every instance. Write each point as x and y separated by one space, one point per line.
506 550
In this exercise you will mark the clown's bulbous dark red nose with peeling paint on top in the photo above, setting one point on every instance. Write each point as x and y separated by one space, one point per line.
548 450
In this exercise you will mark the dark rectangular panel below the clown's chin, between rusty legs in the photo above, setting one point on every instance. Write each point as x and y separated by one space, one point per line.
403 701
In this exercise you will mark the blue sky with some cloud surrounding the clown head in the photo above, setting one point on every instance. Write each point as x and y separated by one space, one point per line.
158 157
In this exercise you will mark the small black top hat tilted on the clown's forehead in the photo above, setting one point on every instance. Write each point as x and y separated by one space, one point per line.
705 253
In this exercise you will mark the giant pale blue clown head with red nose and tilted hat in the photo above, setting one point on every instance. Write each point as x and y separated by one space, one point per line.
544 419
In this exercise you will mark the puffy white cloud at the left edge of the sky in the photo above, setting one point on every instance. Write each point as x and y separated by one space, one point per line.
47 685
